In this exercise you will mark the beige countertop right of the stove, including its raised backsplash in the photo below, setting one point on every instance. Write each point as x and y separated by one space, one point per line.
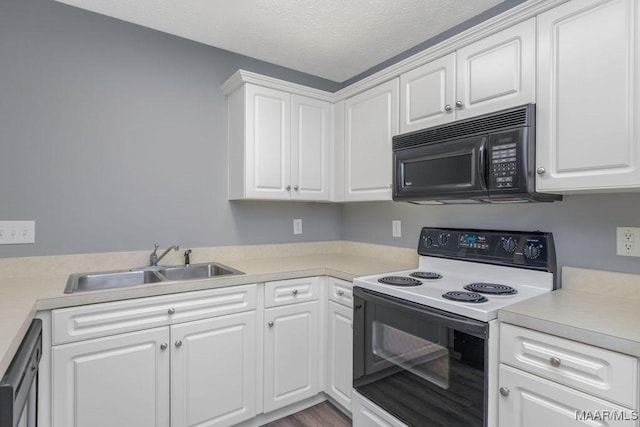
586 310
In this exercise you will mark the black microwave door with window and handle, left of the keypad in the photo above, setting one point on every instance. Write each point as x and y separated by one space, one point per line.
454 169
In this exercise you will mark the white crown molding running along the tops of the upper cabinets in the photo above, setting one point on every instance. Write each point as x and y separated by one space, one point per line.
511 17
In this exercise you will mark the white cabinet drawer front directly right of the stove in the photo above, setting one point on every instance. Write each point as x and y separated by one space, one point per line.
603 373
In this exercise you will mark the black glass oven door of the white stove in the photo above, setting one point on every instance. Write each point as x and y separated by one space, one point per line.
424 366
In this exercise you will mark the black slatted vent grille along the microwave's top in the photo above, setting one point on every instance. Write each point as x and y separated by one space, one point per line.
477 126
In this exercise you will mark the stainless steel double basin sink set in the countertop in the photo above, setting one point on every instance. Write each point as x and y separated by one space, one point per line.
82 282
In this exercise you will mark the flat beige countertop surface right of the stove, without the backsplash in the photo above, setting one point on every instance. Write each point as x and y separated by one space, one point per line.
605 321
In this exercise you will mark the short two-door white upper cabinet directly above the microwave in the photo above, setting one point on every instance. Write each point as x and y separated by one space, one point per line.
491 74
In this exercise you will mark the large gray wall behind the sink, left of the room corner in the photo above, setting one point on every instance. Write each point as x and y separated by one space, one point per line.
113 137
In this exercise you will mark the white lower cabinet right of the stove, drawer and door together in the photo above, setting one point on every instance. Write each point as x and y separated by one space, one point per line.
546 380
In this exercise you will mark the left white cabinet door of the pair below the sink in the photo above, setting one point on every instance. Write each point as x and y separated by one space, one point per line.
115 381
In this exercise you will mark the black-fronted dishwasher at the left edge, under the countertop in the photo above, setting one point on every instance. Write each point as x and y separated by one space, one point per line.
19 385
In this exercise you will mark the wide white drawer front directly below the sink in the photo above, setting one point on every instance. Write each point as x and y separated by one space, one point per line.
99 320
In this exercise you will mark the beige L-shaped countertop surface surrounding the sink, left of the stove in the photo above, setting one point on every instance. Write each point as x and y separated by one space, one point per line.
21 298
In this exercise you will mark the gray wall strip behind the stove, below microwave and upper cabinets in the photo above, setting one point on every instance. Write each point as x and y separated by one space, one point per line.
584 226
